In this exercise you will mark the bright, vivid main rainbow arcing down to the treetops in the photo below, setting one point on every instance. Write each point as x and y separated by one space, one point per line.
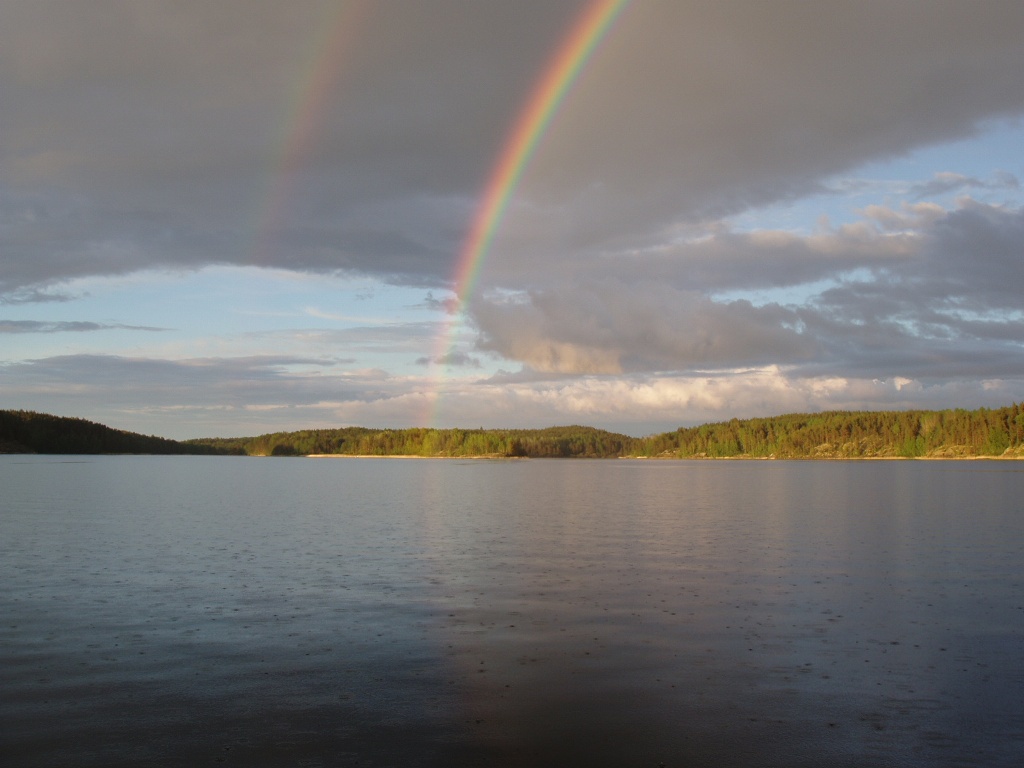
545 100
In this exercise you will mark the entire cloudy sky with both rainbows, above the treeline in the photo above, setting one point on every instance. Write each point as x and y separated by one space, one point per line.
232 219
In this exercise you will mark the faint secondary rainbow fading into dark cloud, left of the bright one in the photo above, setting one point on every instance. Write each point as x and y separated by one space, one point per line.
315 92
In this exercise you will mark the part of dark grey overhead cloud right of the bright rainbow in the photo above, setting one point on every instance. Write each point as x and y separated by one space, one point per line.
699 110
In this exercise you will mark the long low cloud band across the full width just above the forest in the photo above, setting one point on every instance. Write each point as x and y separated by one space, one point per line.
253 396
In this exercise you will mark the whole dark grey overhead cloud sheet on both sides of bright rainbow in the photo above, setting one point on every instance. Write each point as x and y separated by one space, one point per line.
150 135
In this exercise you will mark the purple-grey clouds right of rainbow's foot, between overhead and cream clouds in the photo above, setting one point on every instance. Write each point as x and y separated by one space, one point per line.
940 300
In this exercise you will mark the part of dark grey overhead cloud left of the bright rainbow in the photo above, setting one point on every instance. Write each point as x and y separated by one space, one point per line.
155 135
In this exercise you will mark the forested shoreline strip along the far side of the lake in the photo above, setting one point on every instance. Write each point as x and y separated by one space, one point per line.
838 435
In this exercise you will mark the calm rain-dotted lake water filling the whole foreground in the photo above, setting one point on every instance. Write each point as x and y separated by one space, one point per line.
175 612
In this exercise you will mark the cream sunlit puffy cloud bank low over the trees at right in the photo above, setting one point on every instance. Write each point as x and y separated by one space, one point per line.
647 404
